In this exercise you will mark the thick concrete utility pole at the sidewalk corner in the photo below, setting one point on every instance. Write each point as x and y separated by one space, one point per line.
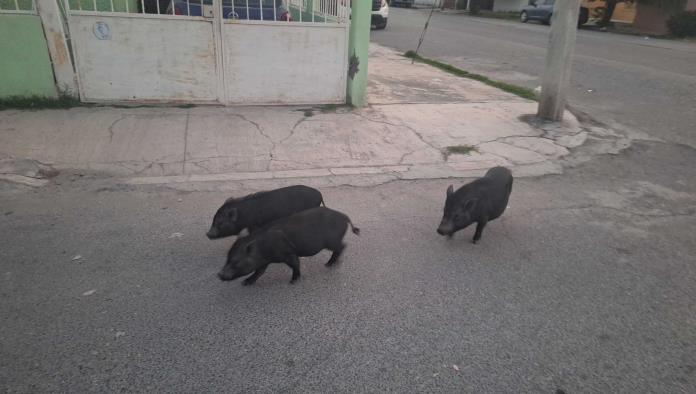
559 57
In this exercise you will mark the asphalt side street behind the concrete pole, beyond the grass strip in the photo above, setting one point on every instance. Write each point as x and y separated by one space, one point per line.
648 85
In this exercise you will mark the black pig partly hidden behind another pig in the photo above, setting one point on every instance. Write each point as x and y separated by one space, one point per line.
256 210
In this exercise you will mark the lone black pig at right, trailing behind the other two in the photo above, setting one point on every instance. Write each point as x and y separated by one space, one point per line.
480 201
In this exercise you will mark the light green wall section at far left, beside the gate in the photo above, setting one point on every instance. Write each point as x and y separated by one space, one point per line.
25 66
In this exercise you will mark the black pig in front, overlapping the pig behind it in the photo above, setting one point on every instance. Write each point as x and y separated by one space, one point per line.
303 234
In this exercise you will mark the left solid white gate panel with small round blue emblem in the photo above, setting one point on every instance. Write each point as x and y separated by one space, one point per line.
143 57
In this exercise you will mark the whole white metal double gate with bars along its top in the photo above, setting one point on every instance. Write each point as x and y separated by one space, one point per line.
207 51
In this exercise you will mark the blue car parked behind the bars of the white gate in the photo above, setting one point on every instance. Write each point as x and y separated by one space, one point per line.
234 9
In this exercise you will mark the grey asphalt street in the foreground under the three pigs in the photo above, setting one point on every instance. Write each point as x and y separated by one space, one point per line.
587 284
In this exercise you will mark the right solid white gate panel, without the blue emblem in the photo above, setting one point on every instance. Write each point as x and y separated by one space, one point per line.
292 63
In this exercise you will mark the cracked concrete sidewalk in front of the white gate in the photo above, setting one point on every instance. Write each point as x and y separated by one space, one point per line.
416 112
